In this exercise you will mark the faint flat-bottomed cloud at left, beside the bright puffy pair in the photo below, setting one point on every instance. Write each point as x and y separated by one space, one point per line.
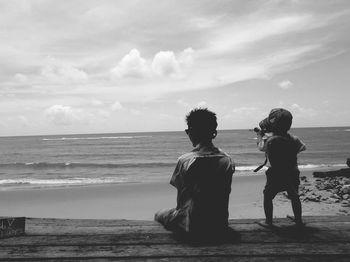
59 72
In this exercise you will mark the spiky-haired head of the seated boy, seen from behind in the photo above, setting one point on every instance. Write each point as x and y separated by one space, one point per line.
202 125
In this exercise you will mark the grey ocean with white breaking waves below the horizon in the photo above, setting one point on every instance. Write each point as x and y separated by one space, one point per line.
85 159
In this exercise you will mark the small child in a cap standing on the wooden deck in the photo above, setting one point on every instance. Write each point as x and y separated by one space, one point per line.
281 150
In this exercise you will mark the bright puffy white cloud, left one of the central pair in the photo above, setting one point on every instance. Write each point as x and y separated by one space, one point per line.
132 65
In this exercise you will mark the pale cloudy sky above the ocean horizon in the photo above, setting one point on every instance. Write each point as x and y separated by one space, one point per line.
84 66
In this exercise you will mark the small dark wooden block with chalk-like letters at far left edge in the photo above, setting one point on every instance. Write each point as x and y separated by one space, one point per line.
11 226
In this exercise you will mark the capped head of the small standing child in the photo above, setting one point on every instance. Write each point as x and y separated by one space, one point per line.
278 121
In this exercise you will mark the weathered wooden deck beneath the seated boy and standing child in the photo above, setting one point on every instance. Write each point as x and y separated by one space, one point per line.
324 239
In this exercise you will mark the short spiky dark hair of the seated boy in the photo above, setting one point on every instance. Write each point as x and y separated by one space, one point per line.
203 121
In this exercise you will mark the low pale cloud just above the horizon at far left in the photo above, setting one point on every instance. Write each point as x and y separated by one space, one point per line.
64 115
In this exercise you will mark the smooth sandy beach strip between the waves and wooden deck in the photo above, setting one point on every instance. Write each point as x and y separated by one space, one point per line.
141 201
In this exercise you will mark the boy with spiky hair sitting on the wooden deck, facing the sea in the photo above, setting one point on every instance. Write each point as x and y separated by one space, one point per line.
203 181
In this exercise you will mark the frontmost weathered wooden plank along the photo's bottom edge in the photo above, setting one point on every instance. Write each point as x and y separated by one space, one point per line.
177 250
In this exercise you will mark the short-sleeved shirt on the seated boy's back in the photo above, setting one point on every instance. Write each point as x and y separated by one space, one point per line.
202 178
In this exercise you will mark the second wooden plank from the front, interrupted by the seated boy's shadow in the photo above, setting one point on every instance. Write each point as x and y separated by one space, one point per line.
168 238
